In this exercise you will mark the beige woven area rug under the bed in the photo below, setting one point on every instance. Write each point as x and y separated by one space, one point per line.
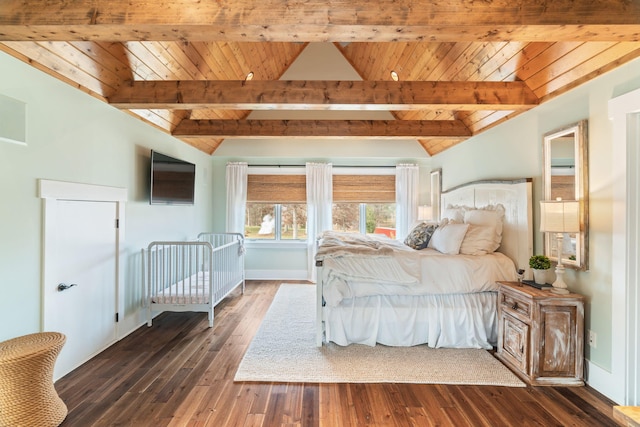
284 350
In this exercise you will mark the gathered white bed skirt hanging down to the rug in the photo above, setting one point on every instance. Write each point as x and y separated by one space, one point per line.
452 320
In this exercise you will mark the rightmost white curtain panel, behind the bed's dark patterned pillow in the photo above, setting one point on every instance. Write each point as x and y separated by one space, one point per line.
407 181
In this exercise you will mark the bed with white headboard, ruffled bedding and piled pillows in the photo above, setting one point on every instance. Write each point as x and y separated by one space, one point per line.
372 289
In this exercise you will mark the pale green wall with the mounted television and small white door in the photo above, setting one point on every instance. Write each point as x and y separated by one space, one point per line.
74 137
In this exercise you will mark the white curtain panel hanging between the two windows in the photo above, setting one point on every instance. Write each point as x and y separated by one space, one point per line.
319 201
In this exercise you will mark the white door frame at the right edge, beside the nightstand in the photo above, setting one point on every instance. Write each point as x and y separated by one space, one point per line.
624 112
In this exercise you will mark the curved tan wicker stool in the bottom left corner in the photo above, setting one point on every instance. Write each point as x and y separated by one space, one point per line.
27 394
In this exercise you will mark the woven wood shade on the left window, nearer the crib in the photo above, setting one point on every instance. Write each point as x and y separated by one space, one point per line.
277 188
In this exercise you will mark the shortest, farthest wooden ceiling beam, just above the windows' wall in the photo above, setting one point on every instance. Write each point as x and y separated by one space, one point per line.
342 129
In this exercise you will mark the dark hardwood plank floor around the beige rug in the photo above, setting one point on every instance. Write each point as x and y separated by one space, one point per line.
180 373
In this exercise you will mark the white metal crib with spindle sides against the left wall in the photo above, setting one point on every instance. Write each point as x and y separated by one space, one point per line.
193 275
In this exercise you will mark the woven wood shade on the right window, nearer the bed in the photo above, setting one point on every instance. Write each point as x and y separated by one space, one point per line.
364 188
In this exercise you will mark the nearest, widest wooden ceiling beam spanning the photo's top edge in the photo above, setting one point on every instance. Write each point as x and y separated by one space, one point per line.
329 20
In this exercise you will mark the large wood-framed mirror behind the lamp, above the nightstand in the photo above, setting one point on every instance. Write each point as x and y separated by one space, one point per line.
565 175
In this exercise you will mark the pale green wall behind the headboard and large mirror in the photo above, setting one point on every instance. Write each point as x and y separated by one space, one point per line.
514 149
